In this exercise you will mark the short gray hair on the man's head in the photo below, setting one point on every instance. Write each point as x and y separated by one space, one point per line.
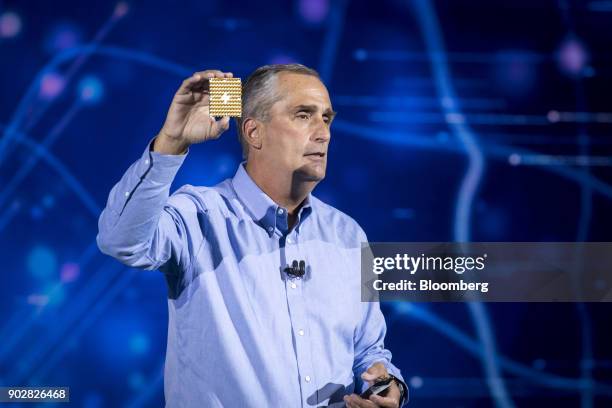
259 93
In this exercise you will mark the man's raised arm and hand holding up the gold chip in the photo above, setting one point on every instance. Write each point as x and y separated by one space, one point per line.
140 226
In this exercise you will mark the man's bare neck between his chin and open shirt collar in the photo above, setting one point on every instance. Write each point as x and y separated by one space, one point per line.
286 190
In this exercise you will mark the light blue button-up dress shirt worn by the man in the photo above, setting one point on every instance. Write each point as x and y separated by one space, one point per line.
241 332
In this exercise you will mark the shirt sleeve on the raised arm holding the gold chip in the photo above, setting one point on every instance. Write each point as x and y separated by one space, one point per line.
137 226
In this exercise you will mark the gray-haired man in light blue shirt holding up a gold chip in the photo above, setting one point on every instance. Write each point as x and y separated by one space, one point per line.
248 326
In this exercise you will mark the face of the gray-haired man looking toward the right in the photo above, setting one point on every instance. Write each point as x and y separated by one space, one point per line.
296 136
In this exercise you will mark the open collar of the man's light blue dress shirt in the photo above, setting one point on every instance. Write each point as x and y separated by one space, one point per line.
262 208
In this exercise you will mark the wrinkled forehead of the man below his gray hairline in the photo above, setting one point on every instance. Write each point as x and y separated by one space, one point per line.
299 89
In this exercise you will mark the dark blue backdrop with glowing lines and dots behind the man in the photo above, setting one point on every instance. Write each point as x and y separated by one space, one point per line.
458 120
